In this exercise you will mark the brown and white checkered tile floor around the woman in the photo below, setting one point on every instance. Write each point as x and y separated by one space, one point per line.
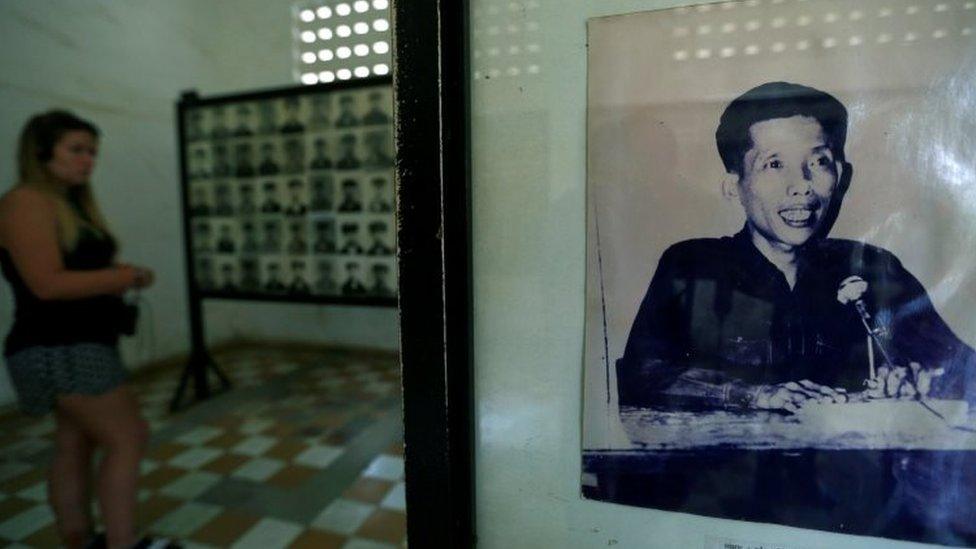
305 451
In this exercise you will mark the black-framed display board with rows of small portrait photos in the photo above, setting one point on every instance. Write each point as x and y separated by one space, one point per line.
289 194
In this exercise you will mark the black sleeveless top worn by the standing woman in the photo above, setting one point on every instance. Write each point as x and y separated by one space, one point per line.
66 321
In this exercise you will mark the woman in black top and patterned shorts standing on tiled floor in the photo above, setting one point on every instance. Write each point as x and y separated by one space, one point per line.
59 257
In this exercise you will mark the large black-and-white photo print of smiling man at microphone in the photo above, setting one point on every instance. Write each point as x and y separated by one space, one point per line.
779 288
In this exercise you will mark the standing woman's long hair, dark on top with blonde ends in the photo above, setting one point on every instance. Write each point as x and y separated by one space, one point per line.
75 206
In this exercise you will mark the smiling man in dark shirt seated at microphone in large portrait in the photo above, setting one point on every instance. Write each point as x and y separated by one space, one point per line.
779 315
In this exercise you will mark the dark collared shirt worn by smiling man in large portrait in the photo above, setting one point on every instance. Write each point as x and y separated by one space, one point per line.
719 320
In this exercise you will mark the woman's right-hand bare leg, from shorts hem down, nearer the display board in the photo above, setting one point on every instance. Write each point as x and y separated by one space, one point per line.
112 420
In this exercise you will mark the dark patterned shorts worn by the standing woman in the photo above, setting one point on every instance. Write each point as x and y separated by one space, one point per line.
41 373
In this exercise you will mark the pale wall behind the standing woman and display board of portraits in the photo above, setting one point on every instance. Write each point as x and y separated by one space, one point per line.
123 65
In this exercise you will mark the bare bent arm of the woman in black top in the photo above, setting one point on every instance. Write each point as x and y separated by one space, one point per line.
28 230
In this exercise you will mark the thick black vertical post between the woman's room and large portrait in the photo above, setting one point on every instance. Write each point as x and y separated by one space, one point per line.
431 97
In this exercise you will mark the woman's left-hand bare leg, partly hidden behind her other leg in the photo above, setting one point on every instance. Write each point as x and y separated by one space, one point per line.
69 482
